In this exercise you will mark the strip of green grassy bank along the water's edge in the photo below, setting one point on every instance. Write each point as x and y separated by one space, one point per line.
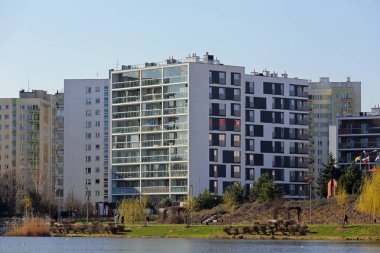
317 232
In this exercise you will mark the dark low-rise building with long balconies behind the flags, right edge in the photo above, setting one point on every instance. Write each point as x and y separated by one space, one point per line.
357 138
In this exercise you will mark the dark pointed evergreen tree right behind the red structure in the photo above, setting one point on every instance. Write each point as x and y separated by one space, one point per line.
328 172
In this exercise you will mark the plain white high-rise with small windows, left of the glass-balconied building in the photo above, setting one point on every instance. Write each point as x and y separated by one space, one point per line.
86 140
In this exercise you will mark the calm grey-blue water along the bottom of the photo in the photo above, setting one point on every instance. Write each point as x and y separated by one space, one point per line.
95 245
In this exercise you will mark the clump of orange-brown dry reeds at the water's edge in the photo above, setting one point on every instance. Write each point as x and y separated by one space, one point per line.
31 227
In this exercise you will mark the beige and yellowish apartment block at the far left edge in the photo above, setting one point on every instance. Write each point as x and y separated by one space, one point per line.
27 144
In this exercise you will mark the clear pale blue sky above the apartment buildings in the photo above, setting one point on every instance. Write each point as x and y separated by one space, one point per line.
47 41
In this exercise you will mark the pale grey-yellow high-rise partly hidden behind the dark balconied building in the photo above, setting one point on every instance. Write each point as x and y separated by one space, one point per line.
328 101
